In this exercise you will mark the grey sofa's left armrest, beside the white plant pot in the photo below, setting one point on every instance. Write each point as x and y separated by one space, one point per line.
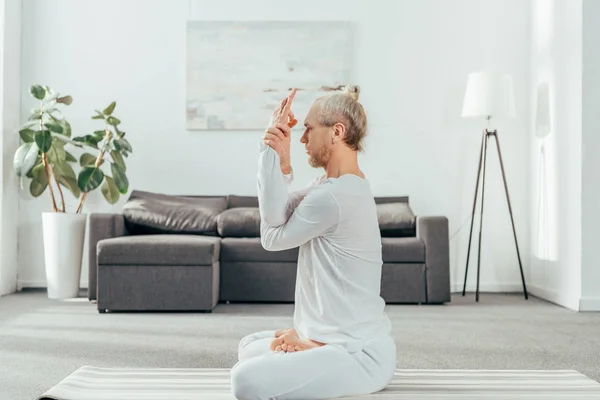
101 226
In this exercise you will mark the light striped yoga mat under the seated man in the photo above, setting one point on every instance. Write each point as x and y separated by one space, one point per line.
91 383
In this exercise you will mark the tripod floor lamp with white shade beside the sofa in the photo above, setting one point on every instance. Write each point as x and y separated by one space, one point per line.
489 95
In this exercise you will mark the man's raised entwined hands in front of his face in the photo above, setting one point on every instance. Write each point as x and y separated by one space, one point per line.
277 135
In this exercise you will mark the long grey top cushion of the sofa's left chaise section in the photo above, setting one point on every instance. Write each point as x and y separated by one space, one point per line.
159 250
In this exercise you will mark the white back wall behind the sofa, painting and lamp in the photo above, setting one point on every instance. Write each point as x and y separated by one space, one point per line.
412 61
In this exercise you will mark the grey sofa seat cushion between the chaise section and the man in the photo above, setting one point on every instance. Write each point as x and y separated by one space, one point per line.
250 249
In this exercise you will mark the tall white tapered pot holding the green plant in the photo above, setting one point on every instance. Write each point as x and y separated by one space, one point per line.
64 235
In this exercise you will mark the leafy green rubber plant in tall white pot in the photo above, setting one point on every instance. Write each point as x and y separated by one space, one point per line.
44 158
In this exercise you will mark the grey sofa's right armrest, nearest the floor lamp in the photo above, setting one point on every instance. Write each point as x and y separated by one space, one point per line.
433 230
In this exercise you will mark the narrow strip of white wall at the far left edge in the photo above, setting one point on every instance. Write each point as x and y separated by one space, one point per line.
10 50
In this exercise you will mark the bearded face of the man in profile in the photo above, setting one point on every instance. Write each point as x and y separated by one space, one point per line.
317 140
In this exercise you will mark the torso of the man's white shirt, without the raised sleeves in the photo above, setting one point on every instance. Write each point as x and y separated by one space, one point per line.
339 272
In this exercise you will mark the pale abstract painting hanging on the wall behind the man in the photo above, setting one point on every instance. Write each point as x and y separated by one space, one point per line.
238 72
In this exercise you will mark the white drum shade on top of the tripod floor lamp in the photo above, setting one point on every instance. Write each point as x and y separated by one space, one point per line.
489 94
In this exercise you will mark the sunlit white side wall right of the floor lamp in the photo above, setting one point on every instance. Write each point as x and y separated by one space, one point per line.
556 209
